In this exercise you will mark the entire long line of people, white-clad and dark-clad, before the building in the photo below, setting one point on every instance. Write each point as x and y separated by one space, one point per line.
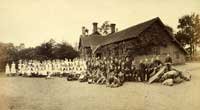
110 71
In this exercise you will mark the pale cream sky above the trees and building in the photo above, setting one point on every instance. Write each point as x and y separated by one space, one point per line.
35 21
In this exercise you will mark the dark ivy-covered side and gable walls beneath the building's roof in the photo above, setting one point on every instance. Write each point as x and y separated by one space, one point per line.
154 41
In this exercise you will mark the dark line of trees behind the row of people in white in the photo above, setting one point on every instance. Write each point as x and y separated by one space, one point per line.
46 51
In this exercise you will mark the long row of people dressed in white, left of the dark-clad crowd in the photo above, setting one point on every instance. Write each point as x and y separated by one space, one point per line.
46 68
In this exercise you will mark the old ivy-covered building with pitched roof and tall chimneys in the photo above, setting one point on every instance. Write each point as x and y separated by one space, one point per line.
140 41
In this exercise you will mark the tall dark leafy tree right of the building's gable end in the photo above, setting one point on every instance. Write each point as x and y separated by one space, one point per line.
189 32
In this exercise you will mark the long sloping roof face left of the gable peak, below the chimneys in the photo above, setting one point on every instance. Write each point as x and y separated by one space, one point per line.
98 40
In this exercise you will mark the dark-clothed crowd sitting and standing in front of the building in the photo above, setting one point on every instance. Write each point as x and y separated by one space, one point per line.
115 71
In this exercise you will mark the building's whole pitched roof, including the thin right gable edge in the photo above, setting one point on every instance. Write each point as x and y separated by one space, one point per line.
96 41
